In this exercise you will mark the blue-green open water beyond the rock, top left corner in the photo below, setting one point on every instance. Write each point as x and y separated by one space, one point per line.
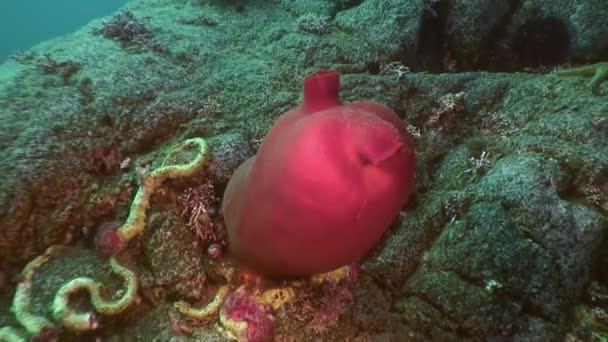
24 23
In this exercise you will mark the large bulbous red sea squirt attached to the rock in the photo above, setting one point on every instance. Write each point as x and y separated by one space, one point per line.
328 180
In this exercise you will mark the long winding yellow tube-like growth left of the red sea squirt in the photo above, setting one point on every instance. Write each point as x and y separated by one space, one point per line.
37 325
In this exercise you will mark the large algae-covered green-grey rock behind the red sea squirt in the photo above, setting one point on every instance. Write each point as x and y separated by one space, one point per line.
504 237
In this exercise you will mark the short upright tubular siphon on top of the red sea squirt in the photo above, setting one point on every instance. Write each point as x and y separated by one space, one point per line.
321 91
